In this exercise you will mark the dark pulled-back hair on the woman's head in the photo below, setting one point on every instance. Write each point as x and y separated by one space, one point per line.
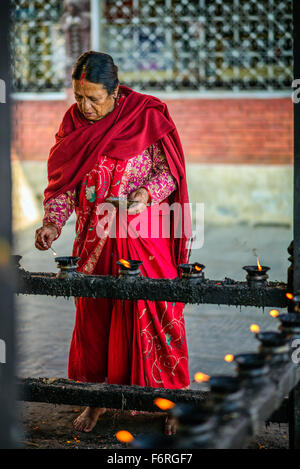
99 68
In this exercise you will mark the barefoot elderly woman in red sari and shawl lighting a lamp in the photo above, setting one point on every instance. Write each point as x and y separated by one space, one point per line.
115 142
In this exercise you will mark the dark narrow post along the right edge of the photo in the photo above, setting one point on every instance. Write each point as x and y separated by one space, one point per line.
294 396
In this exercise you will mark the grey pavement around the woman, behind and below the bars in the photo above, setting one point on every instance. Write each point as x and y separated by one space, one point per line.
45 324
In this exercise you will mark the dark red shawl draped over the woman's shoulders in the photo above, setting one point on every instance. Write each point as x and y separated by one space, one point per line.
136 123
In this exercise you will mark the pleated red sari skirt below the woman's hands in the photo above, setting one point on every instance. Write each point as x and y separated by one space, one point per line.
136 342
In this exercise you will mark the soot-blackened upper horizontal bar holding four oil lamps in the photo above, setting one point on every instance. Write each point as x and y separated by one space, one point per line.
175 290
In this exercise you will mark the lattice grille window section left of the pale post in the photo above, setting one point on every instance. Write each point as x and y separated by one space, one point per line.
38 46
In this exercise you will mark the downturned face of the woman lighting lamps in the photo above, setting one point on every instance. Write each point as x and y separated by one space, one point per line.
93 99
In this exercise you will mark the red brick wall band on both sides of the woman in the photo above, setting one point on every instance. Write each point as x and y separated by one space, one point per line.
242 131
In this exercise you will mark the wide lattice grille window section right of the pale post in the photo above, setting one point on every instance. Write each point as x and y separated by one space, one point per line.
199 45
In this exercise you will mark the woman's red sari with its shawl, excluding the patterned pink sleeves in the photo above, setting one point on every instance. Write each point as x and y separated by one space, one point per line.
123 342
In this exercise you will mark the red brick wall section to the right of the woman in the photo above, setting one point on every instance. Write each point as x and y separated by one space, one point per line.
248 131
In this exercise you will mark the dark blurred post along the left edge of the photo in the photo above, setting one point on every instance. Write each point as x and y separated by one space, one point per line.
7 351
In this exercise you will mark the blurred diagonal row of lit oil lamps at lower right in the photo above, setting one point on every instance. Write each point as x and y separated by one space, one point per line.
197 426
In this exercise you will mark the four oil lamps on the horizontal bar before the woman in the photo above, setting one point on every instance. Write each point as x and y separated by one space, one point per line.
256 275
